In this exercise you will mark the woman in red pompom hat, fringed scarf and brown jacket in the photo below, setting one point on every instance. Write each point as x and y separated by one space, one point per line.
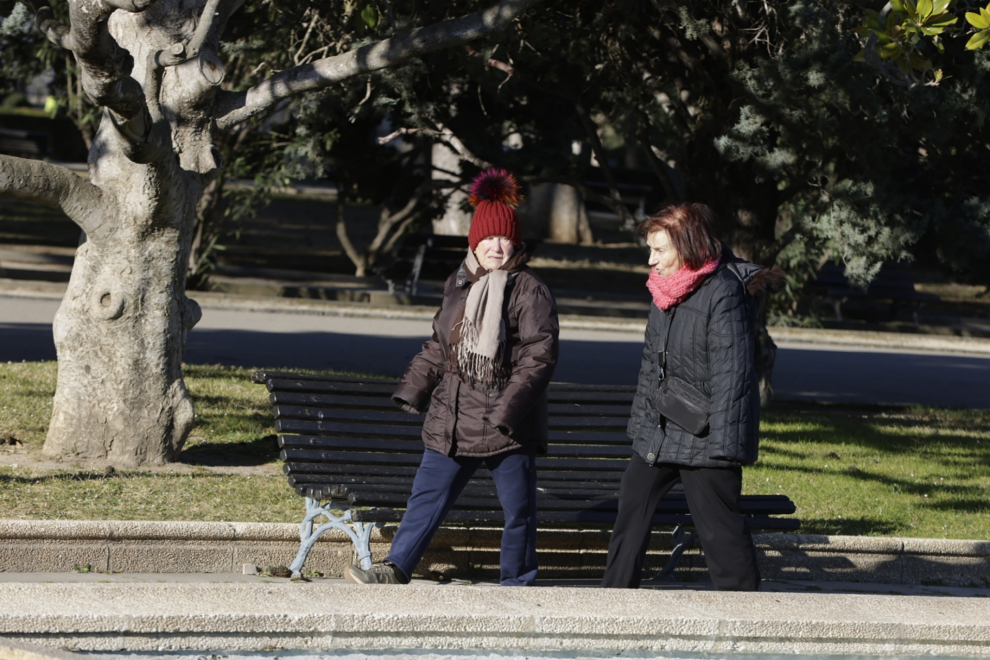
482 381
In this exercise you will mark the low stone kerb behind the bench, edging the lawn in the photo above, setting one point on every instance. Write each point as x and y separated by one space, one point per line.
214 547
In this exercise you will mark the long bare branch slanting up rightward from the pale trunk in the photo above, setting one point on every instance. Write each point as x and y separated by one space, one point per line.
235 107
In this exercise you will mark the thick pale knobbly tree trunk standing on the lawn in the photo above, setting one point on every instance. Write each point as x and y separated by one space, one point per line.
121 330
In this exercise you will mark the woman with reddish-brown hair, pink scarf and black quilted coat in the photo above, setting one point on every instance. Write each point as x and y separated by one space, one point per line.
696 414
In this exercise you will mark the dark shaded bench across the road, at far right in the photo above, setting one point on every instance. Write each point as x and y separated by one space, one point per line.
894 283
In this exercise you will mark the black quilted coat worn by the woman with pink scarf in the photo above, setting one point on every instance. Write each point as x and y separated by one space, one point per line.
711 347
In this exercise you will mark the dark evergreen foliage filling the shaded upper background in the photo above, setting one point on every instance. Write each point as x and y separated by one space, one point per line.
766 111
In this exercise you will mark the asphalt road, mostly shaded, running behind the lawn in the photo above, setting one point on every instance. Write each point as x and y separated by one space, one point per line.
385 346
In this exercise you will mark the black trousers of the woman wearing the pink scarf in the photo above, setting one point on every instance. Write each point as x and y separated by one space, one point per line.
713 499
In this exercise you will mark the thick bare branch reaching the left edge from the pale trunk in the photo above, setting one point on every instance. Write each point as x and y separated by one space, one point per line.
59 188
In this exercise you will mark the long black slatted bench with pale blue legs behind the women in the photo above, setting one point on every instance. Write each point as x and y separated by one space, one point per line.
352 455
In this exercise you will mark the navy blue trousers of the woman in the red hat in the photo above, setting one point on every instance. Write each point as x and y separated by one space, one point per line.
440 480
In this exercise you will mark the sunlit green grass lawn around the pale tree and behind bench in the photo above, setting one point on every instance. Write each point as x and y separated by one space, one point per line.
878 471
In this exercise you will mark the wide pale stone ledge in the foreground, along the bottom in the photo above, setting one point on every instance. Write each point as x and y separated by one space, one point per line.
235 613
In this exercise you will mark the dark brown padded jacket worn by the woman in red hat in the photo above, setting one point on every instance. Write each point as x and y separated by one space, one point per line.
466 420
